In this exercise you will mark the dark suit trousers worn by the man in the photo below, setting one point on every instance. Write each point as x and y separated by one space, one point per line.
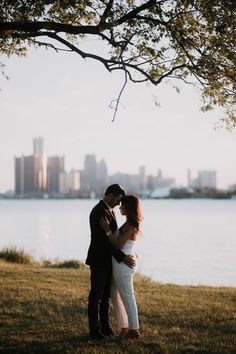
99 298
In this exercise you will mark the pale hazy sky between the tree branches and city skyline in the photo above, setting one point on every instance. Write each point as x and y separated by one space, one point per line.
65 100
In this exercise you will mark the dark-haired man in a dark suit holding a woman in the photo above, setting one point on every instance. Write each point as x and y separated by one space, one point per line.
99 259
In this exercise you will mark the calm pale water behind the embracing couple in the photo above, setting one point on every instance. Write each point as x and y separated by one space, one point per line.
182 242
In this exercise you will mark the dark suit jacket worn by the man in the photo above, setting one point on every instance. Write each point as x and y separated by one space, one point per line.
100 249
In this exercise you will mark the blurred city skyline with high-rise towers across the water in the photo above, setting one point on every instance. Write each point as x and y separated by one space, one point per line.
39 175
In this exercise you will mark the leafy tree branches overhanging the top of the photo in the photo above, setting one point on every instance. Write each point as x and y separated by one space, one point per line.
149 40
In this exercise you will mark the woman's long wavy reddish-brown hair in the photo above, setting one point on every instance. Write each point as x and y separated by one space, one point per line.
133 210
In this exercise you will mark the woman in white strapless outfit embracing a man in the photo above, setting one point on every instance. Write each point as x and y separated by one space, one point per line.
122 291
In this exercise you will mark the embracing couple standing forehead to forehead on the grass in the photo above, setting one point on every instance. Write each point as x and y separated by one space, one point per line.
112 264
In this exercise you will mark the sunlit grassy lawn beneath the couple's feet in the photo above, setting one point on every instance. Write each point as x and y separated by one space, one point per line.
44 310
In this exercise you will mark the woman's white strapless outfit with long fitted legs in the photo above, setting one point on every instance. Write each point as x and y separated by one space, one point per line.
122 290
